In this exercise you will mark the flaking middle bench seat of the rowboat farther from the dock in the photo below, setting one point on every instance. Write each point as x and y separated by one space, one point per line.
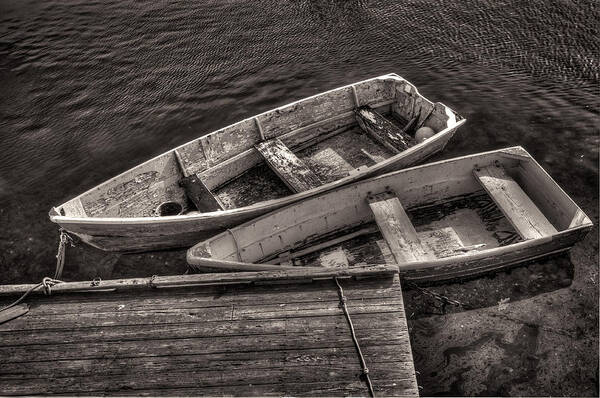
292 171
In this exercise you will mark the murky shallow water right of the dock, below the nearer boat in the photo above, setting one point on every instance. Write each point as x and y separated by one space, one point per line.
527 330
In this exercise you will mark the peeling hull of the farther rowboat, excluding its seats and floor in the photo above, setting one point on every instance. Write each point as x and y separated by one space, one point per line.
120 215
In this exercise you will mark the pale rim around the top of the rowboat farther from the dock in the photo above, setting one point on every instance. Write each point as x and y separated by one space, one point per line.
60 219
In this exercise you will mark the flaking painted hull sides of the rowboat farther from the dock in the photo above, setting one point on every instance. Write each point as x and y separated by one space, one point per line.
107 225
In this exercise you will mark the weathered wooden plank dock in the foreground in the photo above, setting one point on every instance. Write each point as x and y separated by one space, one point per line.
242 334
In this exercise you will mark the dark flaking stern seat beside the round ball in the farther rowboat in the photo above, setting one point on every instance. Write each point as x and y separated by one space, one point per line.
382 130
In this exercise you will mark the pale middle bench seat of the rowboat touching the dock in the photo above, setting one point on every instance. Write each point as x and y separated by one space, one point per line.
396 228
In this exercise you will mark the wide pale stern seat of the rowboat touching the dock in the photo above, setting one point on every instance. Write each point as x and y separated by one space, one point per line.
519 209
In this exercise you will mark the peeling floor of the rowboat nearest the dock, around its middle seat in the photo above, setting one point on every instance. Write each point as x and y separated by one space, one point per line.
457 227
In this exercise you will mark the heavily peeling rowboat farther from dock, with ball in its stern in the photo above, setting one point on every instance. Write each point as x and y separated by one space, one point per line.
259 164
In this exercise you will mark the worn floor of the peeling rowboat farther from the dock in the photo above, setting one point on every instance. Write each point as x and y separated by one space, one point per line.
330 159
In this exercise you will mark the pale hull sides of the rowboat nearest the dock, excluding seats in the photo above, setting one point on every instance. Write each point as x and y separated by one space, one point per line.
262 243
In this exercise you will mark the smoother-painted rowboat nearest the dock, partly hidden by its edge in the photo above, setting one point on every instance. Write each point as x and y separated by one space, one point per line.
450 219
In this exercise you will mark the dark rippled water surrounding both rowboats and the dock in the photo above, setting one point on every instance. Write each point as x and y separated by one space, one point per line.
89 89
